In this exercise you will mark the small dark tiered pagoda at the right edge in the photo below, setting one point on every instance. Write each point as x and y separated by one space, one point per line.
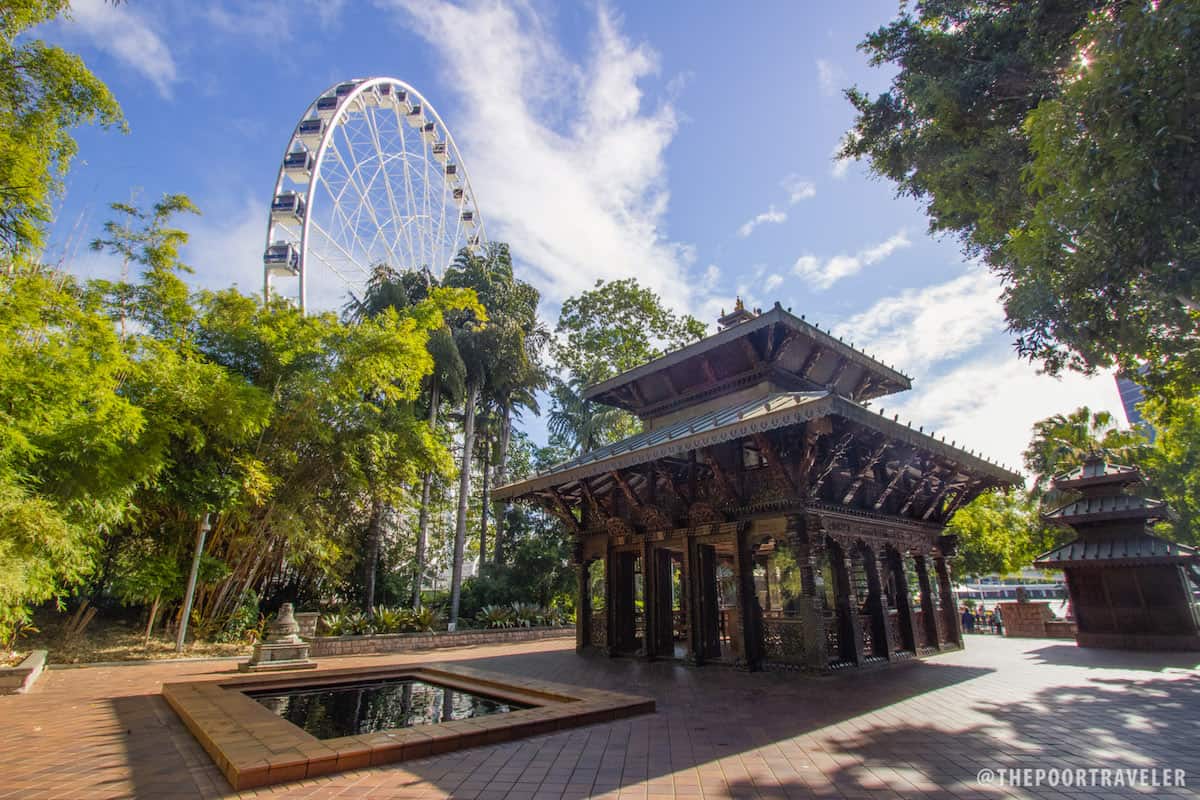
1129 588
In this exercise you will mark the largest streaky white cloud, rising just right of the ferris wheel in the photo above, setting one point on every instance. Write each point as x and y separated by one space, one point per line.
566 158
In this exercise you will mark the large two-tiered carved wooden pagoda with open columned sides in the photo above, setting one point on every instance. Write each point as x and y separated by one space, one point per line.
766 516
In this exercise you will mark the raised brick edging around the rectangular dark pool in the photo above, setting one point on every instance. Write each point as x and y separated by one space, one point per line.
254 748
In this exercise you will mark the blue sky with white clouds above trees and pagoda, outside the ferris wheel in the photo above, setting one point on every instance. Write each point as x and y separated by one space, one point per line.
687 145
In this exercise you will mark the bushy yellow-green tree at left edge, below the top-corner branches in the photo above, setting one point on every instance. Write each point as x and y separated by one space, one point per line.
70 458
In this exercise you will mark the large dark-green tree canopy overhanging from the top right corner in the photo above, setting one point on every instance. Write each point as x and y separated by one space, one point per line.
1060 143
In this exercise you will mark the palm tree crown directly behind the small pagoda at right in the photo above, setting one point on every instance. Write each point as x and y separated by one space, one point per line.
1065 441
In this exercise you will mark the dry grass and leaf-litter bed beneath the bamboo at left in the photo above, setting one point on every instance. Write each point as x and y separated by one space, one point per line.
118 641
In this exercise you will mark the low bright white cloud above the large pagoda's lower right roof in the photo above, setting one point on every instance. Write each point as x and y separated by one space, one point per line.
992 404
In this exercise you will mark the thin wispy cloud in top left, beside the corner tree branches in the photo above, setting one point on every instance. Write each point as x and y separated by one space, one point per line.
129 38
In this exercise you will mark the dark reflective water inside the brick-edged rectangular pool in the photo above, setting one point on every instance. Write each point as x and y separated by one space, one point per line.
351 709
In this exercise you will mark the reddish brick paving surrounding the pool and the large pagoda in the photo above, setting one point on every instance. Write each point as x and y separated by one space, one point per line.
920 730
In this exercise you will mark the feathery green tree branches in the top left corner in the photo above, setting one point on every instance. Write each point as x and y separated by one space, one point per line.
45 94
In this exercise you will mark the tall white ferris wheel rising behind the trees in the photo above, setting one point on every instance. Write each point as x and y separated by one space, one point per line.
371 176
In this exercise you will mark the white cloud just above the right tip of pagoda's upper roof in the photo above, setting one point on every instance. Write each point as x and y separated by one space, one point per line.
937 323
